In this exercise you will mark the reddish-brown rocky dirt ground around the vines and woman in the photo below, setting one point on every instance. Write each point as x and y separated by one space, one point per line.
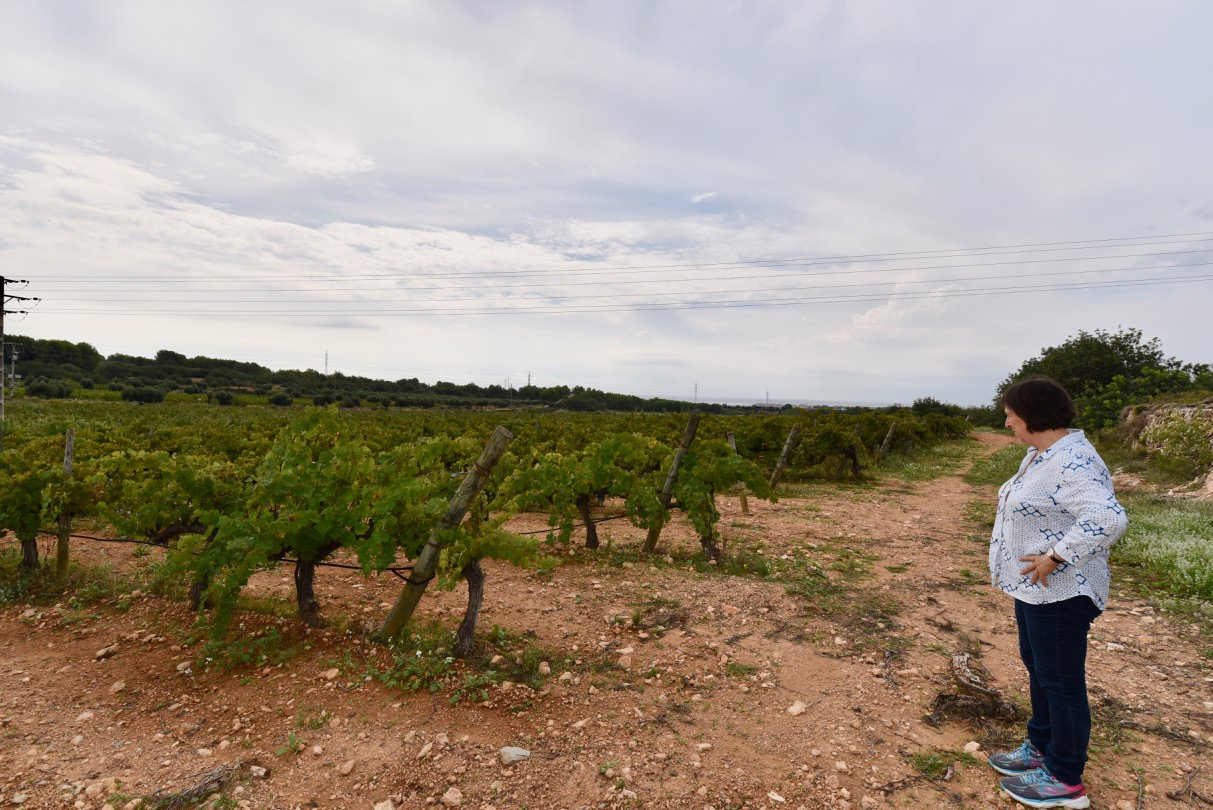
670 688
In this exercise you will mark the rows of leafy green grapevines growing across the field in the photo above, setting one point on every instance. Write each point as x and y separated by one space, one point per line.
231 493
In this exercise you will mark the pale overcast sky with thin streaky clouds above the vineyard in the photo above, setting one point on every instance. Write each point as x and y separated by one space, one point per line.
816 202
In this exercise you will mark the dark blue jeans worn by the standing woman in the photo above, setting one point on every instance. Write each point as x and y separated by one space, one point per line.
1053 646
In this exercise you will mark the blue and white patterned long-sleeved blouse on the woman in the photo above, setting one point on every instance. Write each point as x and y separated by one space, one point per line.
1061 499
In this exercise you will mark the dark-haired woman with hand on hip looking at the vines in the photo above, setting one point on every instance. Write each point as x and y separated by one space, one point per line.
1057 522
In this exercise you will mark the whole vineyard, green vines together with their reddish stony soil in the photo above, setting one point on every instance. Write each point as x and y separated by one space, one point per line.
625 597
